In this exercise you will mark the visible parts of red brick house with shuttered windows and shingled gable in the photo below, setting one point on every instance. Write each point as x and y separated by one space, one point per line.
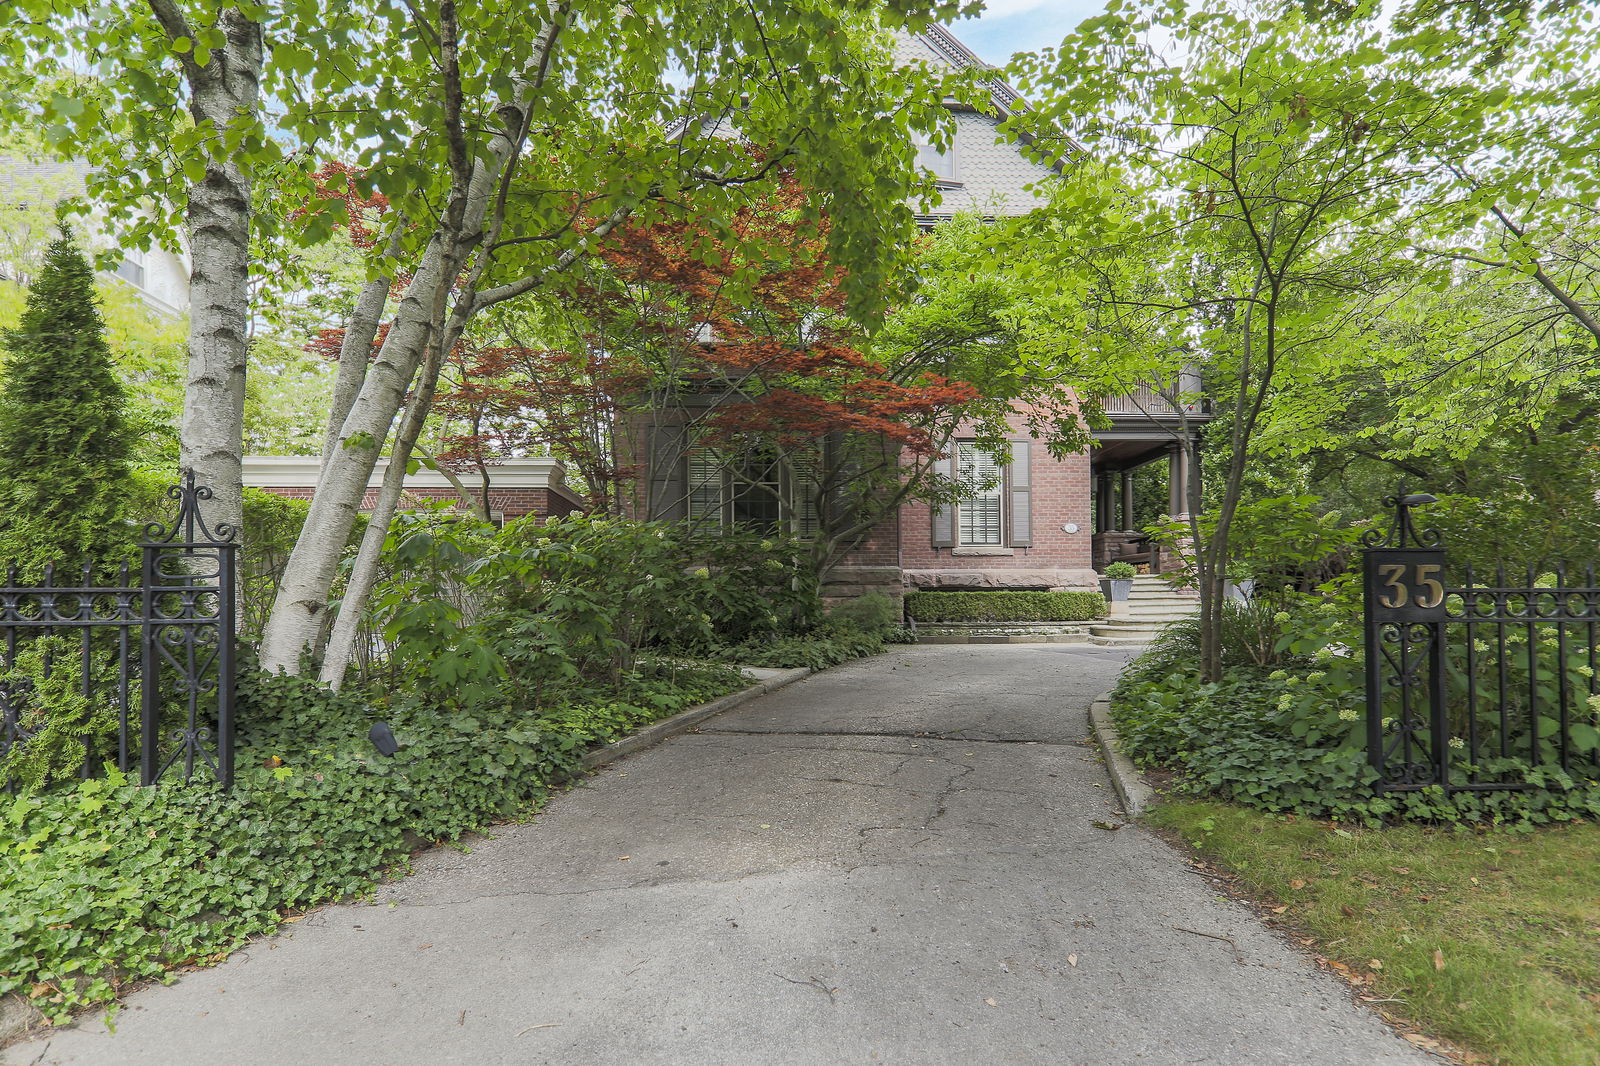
1033 523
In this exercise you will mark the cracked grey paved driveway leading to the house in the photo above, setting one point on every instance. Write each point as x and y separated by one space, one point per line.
895 864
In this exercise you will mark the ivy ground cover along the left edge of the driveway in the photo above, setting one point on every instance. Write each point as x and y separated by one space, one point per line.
105 883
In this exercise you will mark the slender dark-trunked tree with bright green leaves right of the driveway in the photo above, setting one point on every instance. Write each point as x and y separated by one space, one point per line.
1270 167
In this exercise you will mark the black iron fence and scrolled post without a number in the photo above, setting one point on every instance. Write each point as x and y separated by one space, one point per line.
138 670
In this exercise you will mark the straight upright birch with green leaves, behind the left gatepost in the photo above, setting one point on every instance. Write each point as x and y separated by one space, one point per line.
175 134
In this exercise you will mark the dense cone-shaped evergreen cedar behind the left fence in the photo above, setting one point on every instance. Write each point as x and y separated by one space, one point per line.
65 441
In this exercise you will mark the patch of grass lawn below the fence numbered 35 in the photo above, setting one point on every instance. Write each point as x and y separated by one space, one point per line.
1490 940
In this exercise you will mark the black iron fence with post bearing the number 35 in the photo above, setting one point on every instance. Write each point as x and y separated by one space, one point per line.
1476 686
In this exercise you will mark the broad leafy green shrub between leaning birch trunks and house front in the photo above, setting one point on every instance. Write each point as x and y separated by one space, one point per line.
481 615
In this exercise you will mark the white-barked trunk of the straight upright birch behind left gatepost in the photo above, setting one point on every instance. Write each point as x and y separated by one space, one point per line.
212 433
